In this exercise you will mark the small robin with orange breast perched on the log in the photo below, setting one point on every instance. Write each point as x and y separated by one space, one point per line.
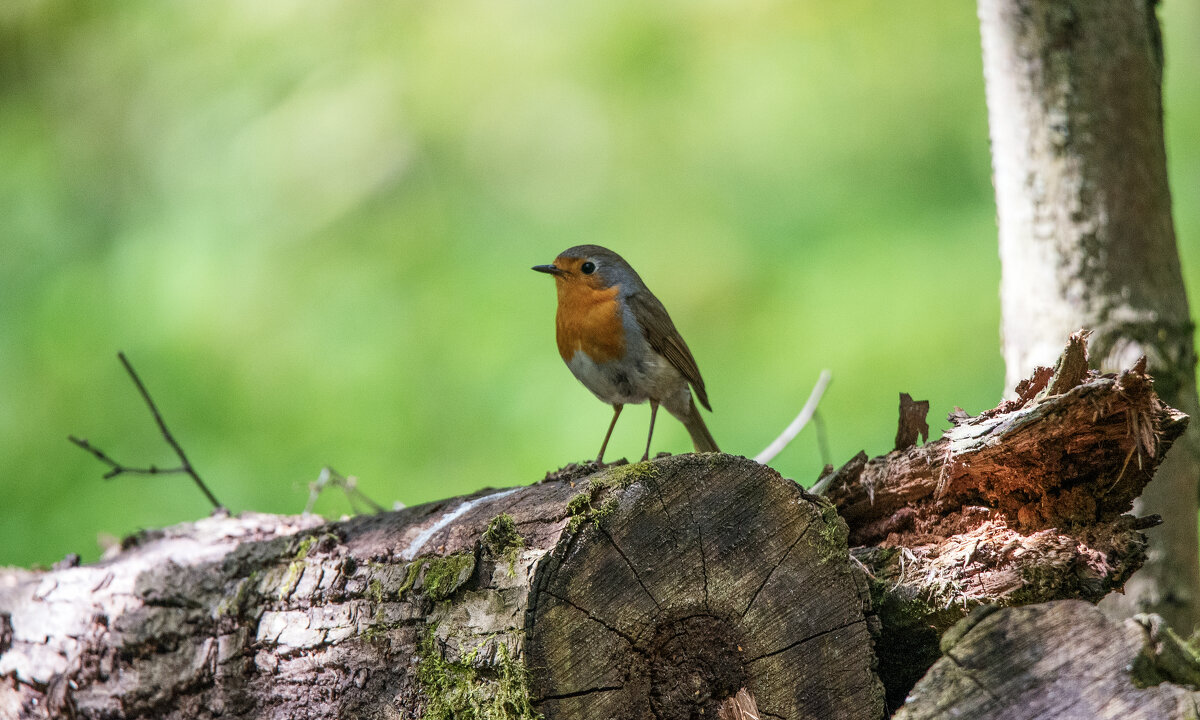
621 344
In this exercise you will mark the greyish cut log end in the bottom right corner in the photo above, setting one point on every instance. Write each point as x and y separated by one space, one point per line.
1058 662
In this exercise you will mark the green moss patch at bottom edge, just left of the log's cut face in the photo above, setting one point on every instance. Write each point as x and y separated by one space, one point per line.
461 692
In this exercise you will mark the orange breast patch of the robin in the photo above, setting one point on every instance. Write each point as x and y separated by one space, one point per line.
590 320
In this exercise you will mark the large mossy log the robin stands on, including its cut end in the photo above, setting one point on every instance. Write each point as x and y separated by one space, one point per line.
650 591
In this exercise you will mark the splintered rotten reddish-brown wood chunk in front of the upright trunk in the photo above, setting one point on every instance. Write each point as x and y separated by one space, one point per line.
1025 503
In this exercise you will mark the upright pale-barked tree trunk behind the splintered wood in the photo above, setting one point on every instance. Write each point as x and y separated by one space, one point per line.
1087 238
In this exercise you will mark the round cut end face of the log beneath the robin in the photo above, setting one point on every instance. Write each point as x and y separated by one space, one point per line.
691 581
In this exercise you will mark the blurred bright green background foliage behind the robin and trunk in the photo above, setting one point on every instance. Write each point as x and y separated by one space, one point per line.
310 225
